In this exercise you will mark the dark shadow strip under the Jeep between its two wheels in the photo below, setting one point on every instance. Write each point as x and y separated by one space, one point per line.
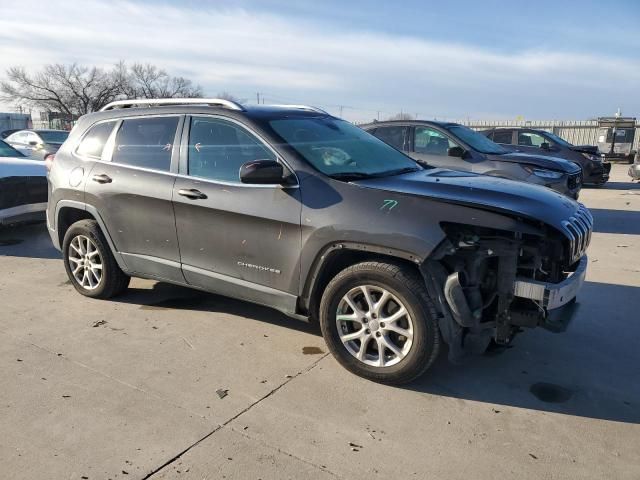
163 296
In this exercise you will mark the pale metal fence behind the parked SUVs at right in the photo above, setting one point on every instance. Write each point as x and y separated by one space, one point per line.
580 132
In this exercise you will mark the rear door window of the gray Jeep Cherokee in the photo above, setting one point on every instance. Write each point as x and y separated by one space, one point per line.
146 142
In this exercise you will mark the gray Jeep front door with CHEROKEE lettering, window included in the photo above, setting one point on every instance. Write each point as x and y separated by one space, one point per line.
235 239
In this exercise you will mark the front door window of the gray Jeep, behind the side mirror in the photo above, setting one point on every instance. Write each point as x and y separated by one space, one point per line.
217 149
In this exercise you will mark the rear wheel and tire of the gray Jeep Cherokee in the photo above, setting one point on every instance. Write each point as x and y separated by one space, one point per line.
89 262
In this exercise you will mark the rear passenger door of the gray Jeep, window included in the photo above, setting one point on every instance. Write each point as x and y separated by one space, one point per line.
132 191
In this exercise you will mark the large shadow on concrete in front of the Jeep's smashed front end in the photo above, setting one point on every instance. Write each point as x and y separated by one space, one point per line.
588 371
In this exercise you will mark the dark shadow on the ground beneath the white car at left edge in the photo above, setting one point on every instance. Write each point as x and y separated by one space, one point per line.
27 240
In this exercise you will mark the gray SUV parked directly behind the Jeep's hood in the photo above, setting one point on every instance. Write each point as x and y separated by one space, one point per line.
454 146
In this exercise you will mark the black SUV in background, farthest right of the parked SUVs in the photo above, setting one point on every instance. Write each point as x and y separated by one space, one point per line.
540 142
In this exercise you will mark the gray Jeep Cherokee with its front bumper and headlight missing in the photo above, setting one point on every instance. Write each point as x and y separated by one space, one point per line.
289 207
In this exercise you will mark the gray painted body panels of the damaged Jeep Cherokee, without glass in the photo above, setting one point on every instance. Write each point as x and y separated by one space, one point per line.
286 228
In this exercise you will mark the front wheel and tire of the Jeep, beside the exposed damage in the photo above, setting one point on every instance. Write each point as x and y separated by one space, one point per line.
379 323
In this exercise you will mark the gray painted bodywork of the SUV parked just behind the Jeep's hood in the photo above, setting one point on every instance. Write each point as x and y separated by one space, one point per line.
505 166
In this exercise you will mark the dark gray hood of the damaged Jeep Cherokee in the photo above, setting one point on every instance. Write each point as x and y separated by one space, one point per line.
482 191
